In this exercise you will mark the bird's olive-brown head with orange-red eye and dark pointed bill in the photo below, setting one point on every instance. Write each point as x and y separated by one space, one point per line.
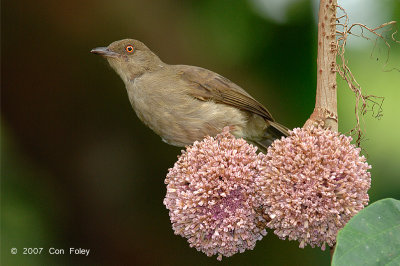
129 58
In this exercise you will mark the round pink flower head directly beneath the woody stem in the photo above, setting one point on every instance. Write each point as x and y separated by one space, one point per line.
315 182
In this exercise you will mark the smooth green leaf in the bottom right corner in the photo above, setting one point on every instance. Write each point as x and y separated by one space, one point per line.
372 237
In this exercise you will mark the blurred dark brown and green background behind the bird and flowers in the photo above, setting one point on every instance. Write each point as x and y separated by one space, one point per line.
78 168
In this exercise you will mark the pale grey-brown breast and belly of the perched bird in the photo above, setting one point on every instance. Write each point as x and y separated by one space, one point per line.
179 118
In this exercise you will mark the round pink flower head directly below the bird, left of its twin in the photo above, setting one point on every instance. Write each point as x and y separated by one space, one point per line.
212 196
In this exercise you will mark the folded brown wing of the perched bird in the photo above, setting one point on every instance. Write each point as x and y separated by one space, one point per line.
206 85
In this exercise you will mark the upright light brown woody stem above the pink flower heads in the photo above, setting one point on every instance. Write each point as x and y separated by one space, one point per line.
325 111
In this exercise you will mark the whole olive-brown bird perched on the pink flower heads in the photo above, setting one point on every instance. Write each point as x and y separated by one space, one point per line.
183 103
